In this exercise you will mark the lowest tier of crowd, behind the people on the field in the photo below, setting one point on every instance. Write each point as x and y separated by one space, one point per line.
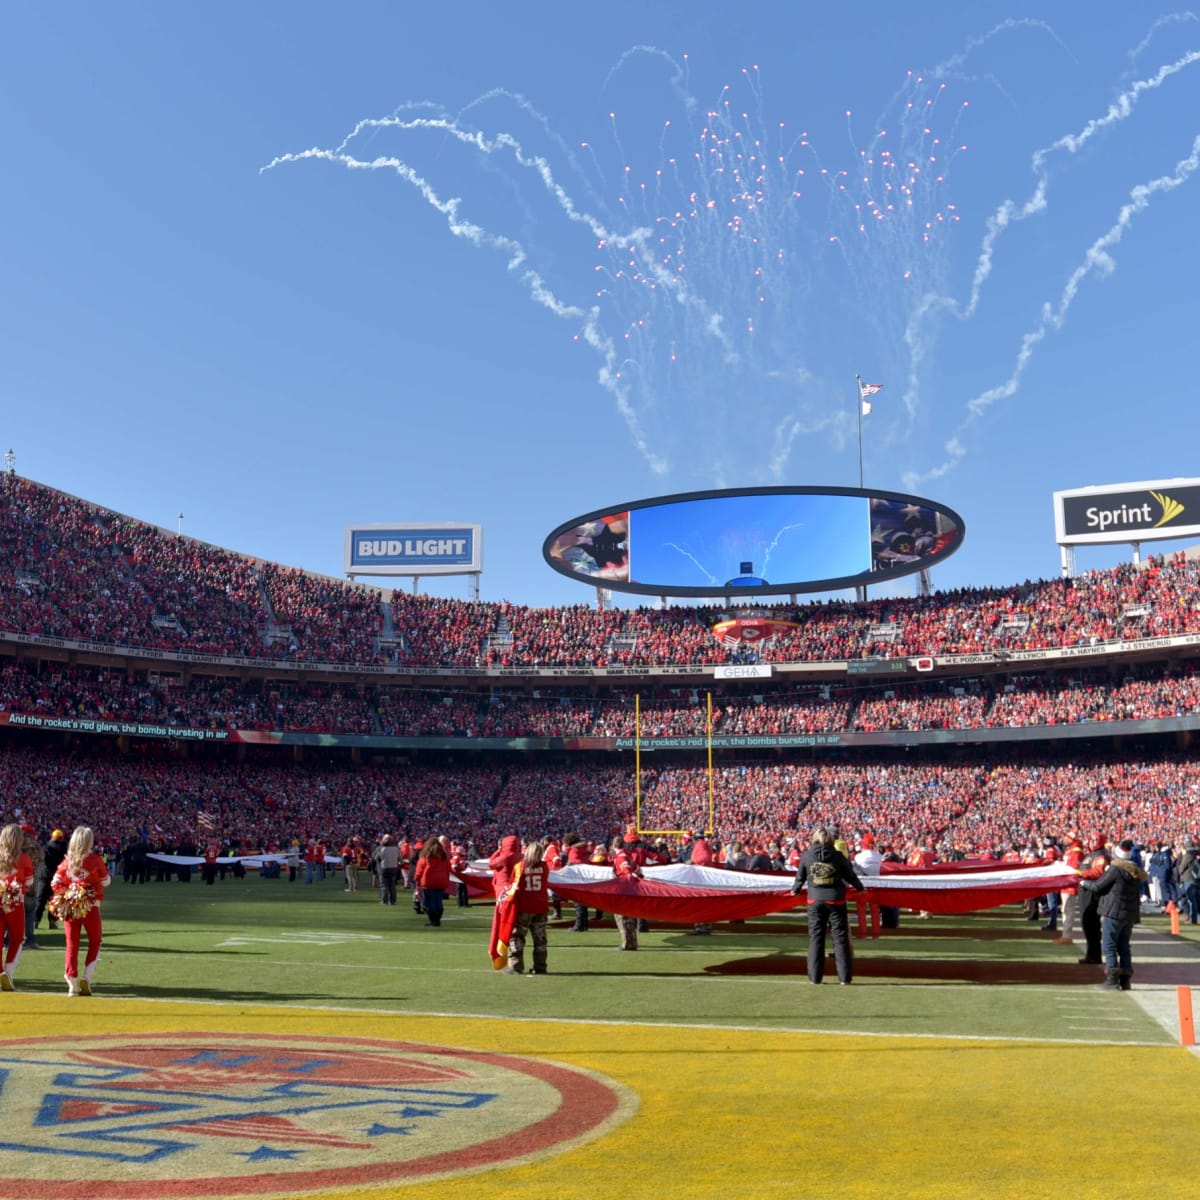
987 806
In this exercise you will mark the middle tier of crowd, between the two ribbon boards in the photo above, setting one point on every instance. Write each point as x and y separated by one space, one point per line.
52 689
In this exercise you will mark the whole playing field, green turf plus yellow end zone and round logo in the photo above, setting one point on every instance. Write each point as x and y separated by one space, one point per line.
963 1049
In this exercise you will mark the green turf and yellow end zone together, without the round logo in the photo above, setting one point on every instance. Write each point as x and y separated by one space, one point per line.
973 1055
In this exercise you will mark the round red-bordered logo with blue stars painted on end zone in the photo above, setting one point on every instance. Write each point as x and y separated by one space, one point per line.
160 1115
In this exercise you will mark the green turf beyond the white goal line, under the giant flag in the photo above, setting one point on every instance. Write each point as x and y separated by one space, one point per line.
273 943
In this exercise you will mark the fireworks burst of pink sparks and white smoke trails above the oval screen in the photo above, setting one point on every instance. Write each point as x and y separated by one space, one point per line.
730 268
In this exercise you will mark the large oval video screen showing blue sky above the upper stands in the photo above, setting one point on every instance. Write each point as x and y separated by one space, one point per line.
754 542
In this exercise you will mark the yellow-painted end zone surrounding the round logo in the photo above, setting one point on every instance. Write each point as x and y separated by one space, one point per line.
748 1114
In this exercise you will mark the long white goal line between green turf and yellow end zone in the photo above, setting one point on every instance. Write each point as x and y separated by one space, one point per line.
820 1030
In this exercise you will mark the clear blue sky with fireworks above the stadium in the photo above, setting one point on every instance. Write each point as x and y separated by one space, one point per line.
680 232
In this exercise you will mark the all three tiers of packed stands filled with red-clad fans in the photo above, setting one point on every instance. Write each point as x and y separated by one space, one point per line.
249 646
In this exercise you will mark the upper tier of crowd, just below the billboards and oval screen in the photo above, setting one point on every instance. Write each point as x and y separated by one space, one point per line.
75 571
